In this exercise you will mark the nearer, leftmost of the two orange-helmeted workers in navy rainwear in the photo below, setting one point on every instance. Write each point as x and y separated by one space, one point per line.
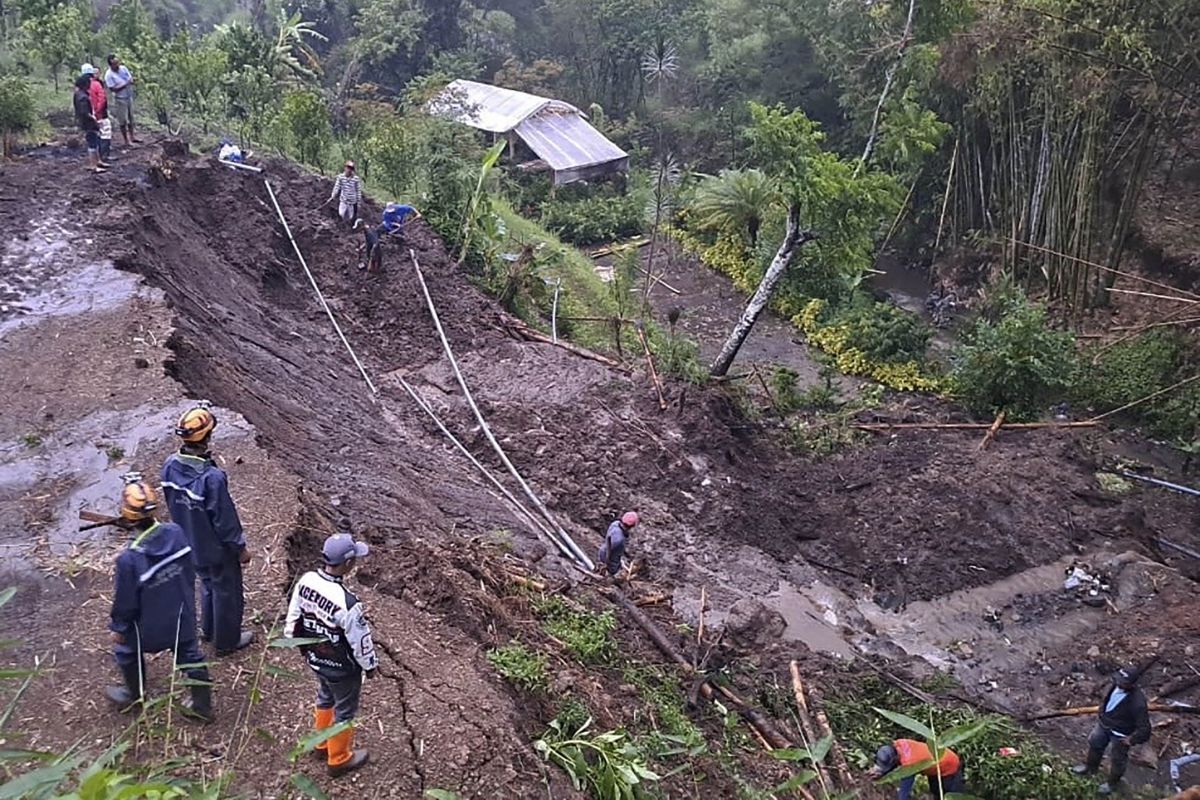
154 603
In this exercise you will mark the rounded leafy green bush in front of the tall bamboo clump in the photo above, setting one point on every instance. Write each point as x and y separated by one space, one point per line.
1016 364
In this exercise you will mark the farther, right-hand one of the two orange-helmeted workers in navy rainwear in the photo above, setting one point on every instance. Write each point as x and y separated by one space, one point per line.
199 497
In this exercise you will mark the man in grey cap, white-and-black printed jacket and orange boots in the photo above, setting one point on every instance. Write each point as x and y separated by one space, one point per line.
323 609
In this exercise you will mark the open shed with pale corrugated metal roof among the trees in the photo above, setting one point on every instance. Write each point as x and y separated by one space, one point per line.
556 135
